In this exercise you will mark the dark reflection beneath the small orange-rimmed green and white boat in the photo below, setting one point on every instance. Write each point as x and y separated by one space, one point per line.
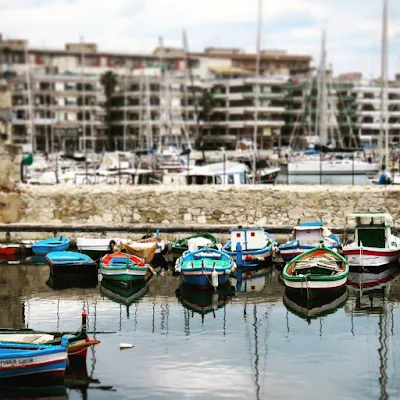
124 295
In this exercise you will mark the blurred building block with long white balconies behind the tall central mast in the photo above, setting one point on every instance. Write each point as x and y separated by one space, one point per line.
236 109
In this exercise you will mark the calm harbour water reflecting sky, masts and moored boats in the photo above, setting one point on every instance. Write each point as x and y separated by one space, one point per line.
255 343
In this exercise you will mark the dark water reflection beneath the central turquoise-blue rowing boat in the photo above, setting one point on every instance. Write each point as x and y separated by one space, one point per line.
203 301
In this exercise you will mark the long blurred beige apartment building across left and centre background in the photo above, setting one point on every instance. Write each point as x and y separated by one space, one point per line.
58 101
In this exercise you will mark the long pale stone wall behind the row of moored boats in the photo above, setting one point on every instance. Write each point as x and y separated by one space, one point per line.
166 205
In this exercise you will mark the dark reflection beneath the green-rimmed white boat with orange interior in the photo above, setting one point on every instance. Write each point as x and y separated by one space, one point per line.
315 305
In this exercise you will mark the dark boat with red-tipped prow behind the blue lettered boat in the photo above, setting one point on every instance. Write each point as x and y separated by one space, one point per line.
78 342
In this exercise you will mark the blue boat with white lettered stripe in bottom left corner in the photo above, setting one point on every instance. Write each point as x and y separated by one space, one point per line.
26 362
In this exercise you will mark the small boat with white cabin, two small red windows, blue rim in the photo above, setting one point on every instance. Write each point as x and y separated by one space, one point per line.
256 246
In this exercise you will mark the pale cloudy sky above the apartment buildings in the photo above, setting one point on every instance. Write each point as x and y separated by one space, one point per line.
353 26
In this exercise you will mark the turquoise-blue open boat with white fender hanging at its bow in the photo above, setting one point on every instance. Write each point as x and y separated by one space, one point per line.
205 268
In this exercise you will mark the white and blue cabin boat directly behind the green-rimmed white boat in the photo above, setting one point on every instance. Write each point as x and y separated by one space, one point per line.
308 235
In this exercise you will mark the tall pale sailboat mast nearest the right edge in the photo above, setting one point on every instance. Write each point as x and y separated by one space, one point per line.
384 129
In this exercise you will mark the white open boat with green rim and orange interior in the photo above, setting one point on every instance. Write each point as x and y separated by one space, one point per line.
319 268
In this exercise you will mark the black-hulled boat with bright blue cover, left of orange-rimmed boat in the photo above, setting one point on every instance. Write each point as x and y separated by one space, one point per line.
69 264
